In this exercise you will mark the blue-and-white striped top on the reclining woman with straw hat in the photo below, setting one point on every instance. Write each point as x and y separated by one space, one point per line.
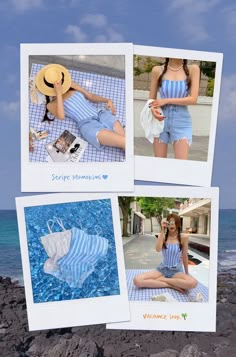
77 107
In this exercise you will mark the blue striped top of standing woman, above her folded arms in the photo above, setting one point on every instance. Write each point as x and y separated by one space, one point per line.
173 88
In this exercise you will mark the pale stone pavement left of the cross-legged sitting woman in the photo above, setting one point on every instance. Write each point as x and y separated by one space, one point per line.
140 253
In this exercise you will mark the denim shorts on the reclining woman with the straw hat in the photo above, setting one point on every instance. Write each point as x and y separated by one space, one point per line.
91 127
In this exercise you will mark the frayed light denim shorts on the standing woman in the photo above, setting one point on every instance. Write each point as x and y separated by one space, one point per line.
177 124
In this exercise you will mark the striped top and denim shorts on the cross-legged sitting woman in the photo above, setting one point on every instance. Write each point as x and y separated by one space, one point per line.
171 263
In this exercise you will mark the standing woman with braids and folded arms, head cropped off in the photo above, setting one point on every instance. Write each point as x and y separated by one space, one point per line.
178 85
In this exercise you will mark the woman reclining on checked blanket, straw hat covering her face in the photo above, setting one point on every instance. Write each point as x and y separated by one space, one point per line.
98 127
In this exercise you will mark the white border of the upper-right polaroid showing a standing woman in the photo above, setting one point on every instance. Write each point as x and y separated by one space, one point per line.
169 170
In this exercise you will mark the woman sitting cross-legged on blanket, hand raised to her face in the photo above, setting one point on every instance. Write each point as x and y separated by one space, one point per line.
169 273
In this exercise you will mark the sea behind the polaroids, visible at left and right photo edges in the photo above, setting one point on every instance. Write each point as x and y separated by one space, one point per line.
10 258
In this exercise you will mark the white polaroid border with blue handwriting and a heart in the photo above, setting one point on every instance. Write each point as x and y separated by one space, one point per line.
82 176
